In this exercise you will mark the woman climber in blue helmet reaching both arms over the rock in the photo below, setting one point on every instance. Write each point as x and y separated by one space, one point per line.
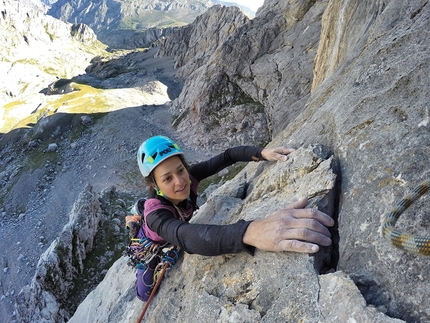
172 200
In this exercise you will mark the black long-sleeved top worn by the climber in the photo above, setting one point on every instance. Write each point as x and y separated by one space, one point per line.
204 239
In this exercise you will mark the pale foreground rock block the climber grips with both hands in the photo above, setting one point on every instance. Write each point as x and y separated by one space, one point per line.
267 287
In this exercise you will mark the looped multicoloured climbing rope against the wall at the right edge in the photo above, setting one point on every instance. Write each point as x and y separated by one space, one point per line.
413 243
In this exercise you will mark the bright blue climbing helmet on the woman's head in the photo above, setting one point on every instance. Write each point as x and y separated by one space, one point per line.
153 151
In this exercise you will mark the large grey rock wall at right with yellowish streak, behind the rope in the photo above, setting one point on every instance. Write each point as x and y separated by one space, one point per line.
372 110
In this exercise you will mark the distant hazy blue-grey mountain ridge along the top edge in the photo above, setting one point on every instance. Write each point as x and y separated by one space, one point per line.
131 24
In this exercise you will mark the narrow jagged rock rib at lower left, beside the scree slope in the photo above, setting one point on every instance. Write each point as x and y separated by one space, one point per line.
60 264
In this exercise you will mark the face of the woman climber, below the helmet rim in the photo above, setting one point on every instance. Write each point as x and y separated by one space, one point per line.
172 179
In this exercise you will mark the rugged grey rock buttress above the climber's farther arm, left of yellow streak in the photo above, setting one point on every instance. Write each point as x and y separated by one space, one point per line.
249 84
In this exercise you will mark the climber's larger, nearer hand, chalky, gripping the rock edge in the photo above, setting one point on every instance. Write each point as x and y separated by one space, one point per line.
291 229
